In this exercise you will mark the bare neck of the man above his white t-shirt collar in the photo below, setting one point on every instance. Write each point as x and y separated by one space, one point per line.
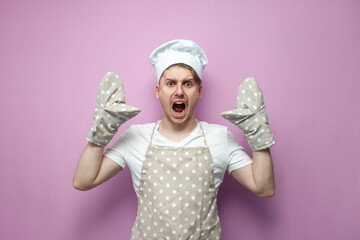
176 132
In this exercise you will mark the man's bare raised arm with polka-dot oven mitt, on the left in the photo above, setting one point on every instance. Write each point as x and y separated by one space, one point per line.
111 111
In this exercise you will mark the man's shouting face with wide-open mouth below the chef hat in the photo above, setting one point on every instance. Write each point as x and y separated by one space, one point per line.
178 94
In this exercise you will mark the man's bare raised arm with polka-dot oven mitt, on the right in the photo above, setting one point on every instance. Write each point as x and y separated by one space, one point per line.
251 117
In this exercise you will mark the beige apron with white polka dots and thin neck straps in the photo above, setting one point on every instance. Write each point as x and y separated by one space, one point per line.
177 195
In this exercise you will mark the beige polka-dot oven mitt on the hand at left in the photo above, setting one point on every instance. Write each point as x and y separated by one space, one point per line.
110 111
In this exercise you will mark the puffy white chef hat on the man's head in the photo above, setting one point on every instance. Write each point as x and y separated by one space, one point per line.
178 51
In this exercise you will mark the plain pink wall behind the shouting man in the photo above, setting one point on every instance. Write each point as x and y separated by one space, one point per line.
304 54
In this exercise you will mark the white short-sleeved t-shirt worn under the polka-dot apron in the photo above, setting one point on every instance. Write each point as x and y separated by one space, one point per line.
130 148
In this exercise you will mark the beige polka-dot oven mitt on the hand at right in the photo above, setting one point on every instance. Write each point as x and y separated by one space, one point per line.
250 115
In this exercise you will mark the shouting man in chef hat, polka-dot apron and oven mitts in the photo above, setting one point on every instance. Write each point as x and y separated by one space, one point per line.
178 163
